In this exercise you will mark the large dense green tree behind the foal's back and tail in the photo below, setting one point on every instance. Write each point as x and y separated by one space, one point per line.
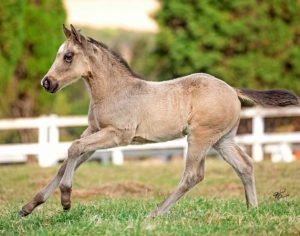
253 43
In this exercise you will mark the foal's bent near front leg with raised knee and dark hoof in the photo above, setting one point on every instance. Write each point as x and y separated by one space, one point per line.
105 138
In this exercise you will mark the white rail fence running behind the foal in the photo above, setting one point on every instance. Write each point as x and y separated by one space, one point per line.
49 150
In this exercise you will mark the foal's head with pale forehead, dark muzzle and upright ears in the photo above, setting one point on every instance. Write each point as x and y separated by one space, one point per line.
71 62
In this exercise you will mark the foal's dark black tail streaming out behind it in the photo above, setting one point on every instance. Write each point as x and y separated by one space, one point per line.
274 97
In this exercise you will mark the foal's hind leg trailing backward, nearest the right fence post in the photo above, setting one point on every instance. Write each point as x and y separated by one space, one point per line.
241 163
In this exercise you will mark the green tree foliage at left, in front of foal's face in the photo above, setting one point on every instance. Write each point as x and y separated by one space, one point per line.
32 35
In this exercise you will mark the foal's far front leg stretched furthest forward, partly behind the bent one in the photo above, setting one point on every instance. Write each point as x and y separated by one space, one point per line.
46 192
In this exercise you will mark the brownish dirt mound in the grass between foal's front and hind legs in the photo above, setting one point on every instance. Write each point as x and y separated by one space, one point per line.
115 190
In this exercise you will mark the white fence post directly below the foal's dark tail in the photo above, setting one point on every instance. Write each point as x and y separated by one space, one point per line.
258 132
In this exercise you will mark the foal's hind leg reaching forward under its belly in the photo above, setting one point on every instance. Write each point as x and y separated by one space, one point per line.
193 173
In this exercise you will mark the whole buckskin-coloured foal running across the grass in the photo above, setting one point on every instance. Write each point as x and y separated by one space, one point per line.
127 110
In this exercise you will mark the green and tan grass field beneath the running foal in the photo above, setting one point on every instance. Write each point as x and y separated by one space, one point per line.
111 200
